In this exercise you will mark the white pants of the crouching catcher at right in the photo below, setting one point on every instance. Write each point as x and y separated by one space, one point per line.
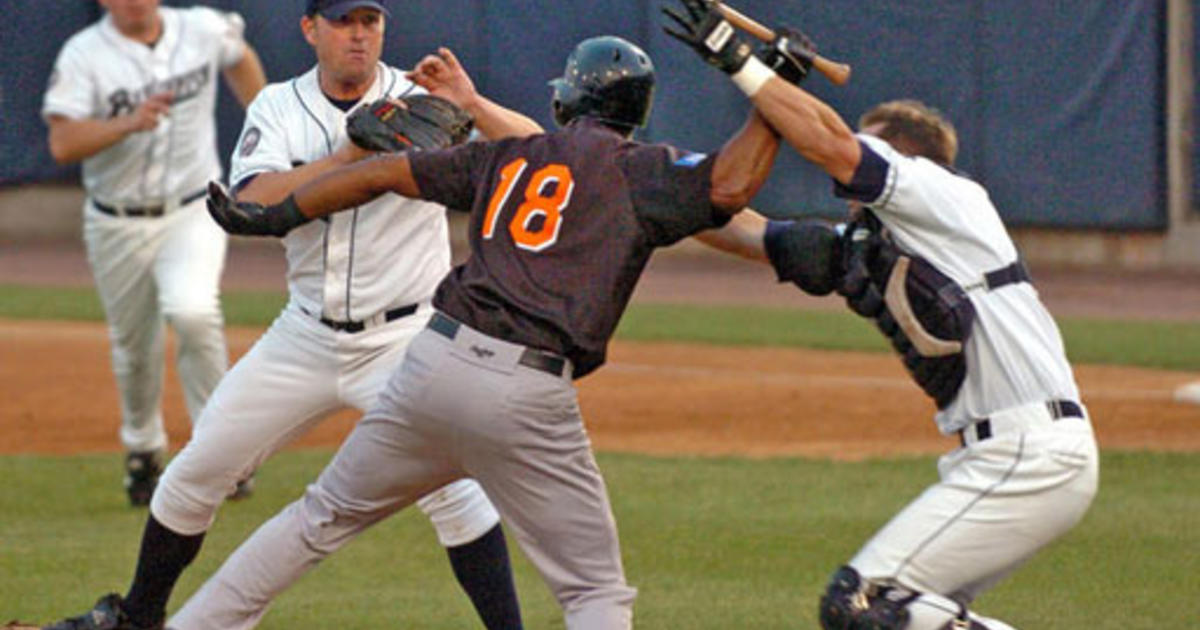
998 503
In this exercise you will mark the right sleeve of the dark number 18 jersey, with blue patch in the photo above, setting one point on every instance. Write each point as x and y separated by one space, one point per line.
671 191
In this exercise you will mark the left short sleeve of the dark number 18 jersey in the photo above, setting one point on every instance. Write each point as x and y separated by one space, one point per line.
446 176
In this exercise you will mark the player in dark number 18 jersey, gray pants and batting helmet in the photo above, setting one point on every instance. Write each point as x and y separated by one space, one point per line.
561 229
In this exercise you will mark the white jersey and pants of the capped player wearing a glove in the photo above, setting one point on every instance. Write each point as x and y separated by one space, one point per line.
361 287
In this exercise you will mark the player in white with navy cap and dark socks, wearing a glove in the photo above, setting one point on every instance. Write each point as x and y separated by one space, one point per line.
361 286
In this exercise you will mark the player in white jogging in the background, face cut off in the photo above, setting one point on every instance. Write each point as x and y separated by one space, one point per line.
134 97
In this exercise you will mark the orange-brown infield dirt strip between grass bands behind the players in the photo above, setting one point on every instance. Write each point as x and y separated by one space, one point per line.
653 398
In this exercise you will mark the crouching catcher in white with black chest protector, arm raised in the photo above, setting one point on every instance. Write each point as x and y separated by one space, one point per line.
926 255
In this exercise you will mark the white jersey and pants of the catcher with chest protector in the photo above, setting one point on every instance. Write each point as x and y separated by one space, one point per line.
1028 469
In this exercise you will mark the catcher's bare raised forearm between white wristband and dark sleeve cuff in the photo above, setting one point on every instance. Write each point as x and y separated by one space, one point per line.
811 127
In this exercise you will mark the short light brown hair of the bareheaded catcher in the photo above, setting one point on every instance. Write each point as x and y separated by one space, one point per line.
915 129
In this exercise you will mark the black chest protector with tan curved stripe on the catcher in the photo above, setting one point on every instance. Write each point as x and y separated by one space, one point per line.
926 315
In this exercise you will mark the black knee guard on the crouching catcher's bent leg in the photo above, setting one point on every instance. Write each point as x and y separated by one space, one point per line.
851 603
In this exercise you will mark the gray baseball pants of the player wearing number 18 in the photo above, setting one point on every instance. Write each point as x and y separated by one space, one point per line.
457 407
